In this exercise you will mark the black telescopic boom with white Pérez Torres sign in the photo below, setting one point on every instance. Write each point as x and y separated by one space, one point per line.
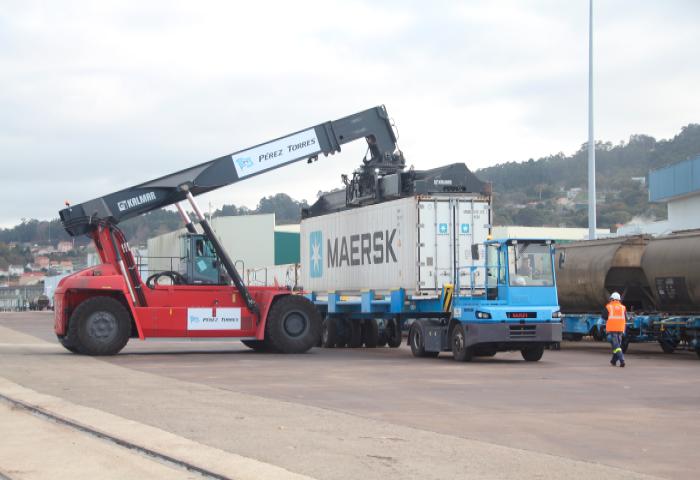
326 138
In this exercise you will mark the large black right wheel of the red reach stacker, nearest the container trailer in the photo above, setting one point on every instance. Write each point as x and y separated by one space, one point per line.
293 324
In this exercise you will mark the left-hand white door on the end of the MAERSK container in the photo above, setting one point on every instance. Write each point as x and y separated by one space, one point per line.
435 244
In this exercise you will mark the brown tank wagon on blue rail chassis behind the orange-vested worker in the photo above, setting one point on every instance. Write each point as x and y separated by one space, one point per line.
658 278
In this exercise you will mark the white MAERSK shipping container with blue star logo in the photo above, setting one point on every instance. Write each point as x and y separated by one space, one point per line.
414 243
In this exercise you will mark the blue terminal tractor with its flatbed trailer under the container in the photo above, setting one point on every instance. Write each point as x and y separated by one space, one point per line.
514 309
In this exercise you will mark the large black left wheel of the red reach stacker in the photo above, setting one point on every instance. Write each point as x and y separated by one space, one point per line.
99 326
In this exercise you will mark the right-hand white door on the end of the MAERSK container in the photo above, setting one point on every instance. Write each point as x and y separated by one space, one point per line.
471 227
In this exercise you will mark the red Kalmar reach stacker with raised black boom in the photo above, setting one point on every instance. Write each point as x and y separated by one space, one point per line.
97 310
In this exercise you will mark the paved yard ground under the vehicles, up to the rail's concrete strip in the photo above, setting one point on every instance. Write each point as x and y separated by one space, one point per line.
381 413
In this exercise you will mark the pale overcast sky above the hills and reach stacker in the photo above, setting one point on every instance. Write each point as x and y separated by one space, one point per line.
98 96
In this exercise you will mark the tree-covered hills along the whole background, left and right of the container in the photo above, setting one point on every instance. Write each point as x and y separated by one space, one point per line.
548 191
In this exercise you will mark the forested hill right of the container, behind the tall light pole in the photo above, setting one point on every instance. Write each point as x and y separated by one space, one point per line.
546 191
